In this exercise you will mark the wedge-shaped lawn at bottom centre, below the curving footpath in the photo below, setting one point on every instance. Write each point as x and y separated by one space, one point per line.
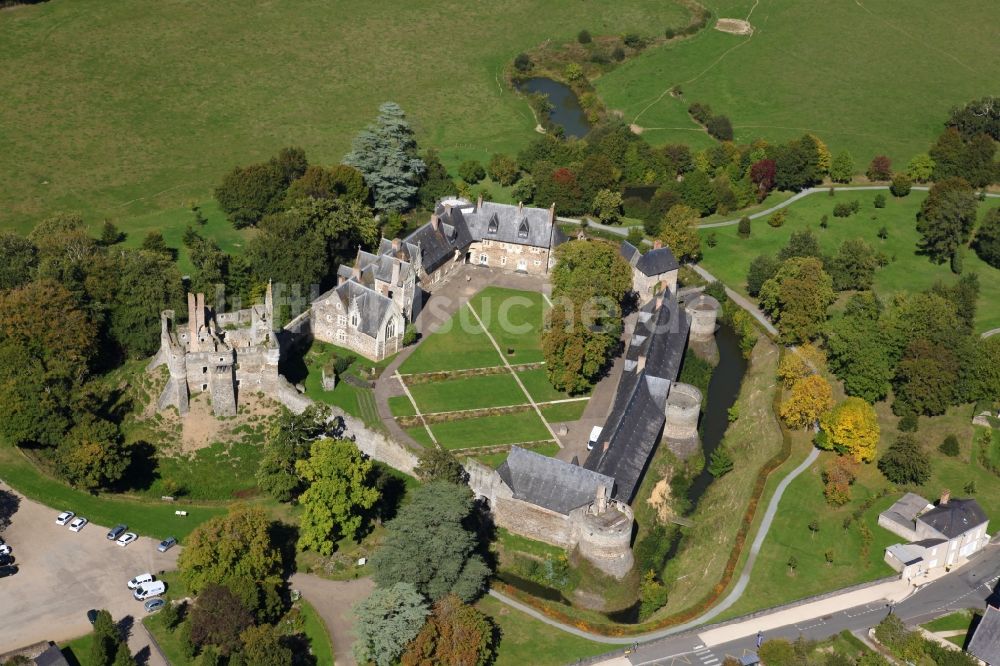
526 640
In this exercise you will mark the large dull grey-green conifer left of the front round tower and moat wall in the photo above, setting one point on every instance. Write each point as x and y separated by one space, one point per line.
430 545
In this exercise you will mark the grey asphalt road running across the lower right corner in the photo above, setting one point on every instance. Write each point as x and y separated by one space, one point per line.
968 587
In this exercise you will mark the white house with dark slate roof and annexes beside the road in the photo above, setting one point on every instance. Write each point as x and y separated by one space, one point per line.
939 536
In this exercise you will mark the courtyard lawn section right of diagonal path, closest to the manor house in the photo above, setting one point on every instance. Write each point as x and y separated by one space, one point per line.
514 318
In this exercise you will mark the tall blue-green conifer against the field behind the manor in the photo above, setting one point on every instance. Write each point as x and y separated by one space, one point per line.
386 154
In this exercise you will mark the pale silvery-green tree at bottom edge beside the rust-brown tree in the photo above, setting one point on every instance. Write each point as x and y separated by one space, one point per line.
386 621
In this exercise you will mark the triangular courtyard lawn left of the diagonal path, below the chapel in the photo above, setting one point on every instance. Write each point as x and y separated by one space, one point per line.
459 344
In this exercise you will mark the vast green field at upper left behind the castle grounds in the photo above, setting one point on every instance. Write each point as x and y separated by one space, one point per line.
116 110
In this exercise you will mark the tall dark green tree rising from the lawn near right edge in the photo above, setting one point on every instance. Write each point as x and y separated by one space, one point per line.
946 218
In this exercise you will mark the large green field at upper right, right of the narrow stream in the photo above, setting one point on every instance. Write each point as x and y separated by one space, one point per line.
872 76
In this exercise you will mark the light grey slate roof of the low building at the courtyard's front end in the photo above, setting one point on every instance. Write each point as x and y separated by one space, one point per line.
550 483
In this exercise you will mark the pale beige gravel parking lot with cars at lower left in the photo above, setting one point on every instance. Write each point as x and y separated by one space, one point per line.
63 574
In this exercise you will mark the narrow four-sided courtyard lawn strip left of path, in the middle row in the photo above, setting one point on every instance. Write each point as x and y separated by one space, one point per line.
468 393
